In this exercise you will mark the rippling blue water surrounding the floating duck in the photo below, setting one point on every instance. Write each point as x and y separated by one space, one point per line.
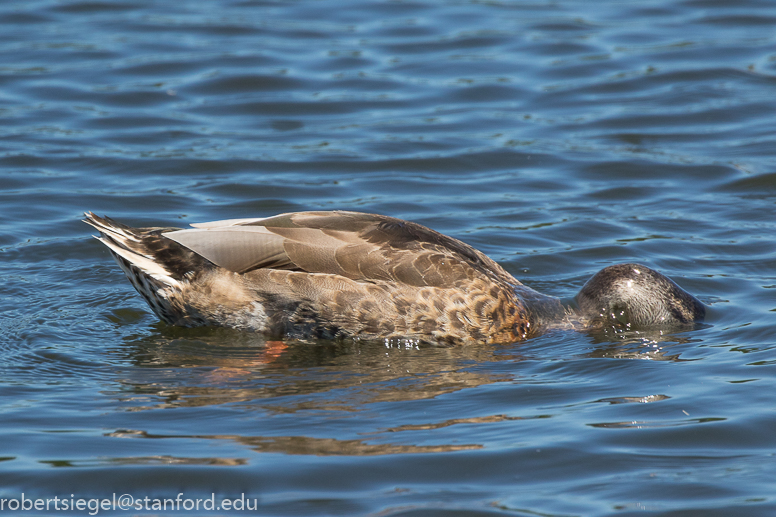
557 137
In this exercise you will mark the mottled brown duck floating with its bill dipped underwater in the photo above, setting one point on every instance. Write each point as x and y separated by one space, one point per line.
342 274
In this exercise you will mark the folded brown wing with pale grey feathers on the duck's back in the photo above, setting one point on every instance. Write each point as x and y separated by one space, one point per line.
364 247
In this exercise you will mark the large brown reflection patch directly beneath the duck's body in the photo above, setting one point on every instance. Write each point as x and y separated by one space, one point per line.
215 369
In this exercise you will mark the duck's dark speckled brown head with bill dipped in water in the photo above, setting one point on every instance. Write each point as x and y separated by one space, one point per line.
637 296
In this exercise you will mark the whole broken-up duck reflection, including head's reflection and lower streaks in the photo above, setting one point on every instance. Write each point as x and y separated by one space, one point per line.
179 368
